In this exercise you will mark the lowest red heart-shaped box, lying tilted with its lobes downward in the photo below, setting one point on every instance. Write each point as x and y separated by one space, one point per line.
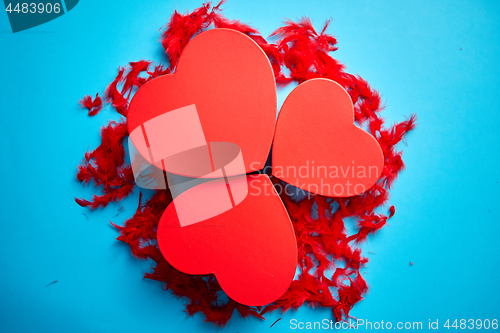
251 248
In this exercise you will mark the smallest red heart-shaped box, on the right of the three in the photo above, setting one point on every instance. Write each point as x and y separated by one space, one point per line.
318 148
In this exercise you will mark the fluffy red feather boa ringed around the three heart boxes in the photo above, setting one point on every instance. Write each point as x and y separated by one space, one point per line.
321 240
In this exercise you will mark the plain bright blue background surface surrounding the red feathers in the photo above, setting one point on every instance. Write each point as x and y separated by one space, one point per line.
439 59
